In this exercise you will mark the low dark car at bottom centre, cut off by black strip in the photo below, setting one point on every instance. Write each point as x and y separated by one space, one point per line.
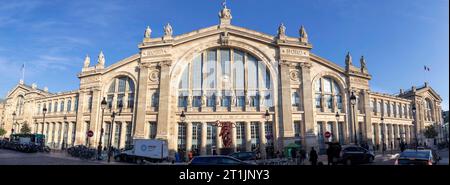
217 160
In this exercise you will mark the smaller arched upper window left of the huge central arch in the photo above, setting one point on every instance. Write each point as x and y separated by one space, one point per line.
121 90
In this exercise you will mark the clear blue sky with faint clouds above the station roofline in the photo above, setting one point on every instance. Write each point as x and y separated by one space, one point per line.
397 37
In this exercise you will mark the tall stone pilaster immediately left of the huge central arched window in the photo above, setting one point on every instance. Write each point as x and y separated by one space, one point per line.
164 119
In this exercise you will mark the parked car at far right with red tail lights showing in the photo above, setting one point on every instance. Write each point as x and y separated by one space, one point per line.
416 157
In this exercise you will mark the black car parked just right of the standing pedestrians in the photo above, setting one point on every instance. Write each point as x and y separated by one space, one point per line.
356 155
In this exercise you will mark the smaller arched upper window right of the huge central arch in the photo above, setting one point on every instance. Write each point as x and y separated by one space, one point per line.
328 89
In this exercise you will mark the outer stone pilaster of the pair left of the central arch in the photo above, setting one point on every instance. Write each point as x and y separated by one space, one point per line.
141 102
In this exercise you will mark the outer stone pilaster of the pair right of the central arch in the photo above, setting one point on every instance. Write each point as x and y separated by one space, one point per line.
310 135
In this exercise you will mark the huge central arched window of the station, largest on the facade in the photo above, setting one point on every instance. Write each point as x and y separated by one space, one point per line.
218 78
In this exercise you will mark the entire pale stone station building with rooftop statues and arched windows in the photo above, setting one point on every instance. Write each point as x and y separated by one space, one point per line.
226 73
